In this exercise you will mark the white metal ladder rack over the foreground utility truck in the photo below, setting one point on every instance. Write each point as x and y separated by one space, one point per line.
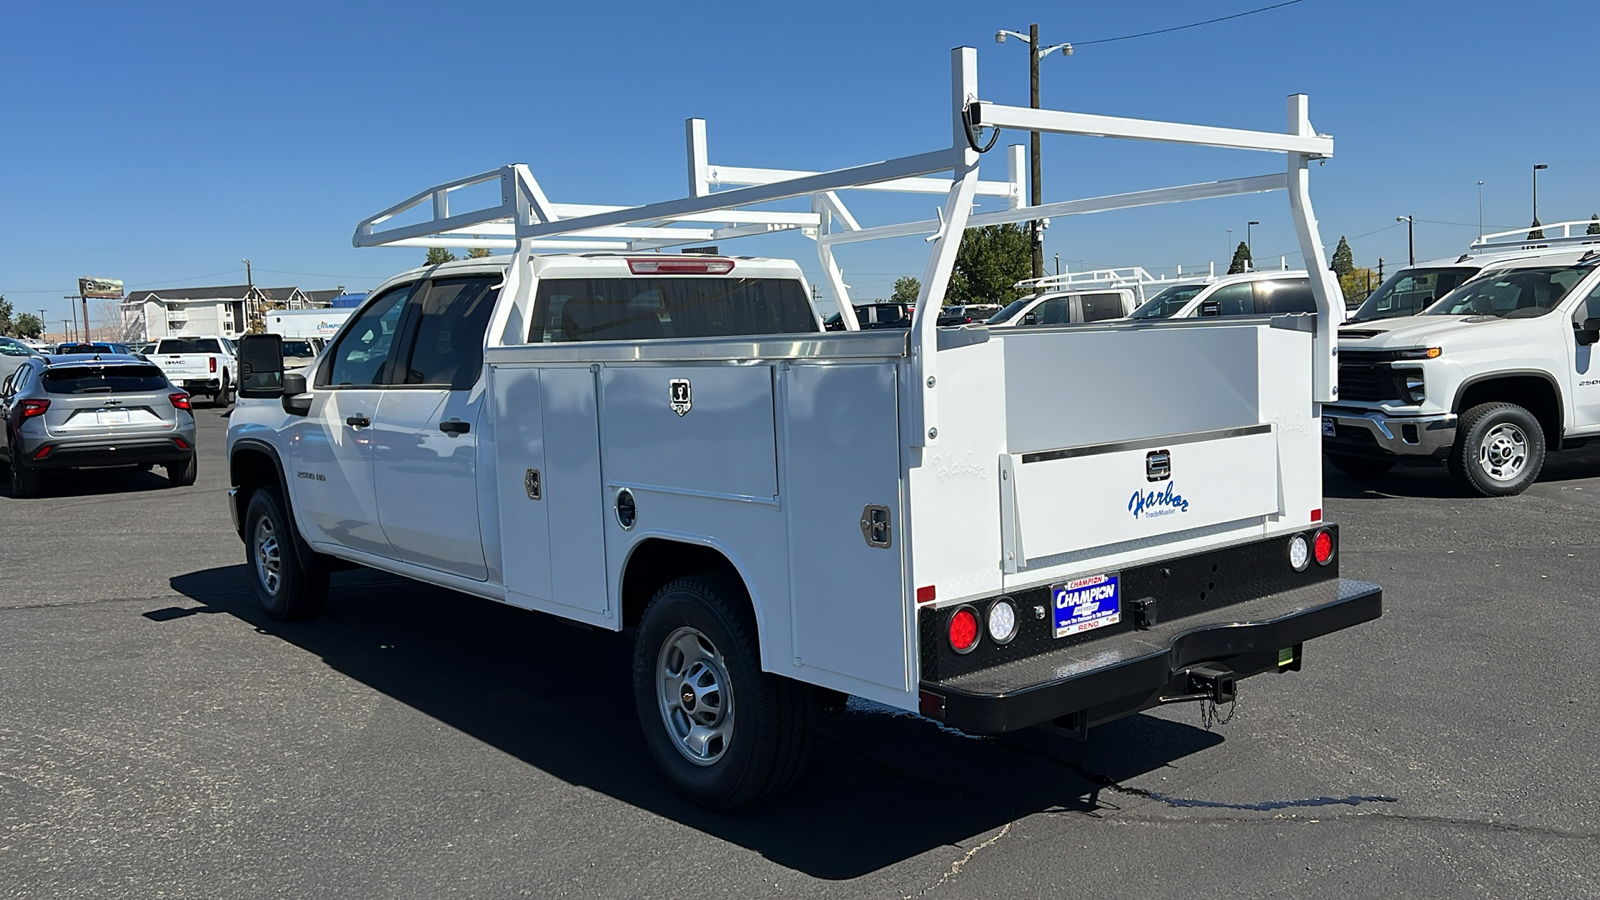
527 222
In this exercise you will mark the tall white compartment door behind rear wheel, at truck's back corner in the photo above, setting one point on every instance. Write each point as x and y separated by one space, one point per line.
842 456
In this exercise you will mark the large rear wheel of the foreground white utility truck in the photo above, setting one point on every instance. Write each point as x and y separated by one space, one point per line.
726 734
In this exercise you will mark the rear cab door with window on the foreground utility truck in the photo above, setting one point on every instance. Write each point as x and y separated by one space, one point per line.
425 435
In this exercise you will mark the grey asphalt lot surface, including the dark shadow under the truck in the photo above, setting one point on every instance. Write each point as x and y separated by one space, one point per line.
159 737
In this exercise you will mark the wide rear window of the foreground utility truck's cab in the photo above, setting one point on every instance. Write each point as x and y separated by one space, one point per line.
641 310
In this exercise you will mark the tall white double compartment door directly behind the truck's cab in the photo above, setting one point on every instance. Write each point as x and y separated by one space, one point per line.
553 539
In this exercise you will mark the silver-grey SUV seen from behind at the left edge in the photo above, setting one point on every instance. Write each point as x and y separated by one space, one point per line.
108 411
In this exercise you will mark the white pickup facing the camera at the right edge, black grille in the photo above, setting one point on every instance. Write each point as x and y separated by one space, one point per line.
1487 379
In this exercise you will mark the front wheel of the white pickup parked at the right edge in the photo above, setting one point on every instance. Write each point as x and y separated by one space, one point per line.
1500 451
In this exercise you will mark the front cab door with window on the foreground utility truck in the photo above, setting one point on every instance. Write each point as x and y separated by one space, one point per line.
330 449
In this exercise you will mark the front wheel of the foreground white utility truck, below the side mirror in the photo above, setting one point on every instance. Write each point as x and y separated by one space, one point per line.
287 585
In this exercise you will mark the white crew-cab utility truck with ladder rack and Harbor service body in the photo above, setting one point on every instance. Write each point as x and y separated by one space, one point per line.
998 529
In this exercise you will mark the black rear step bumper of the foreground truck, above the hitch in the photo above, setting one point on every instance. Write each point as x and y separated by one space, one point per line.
1194 659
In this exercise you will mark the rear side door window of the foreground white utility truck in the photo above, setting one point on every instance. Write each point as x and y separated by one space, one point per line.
449 347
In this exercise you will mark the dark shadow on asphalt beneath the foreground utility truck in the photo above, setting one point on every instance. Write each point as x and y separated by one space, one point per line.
882 785
